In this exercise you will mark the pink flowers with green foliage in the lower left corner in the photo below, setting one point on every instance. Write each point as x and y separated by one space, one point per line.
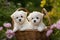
8 33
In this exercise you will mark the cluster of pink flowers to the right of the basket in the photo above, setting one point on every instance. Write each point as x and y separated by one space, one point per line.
54 26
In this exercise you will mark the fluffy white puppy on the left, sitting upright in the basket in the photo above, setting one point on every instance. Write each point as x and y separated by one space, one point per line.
20 21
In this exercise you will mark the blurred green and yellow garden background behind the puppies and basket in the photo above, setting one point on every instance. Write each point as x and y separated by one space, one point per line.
7 7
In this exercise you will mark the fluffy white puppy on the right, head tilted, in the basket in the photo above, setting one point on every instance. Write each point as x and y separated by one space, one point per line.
36 21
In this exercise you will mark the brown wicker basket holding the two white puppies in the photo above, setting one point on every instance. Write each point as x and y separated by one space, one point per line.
31 34
